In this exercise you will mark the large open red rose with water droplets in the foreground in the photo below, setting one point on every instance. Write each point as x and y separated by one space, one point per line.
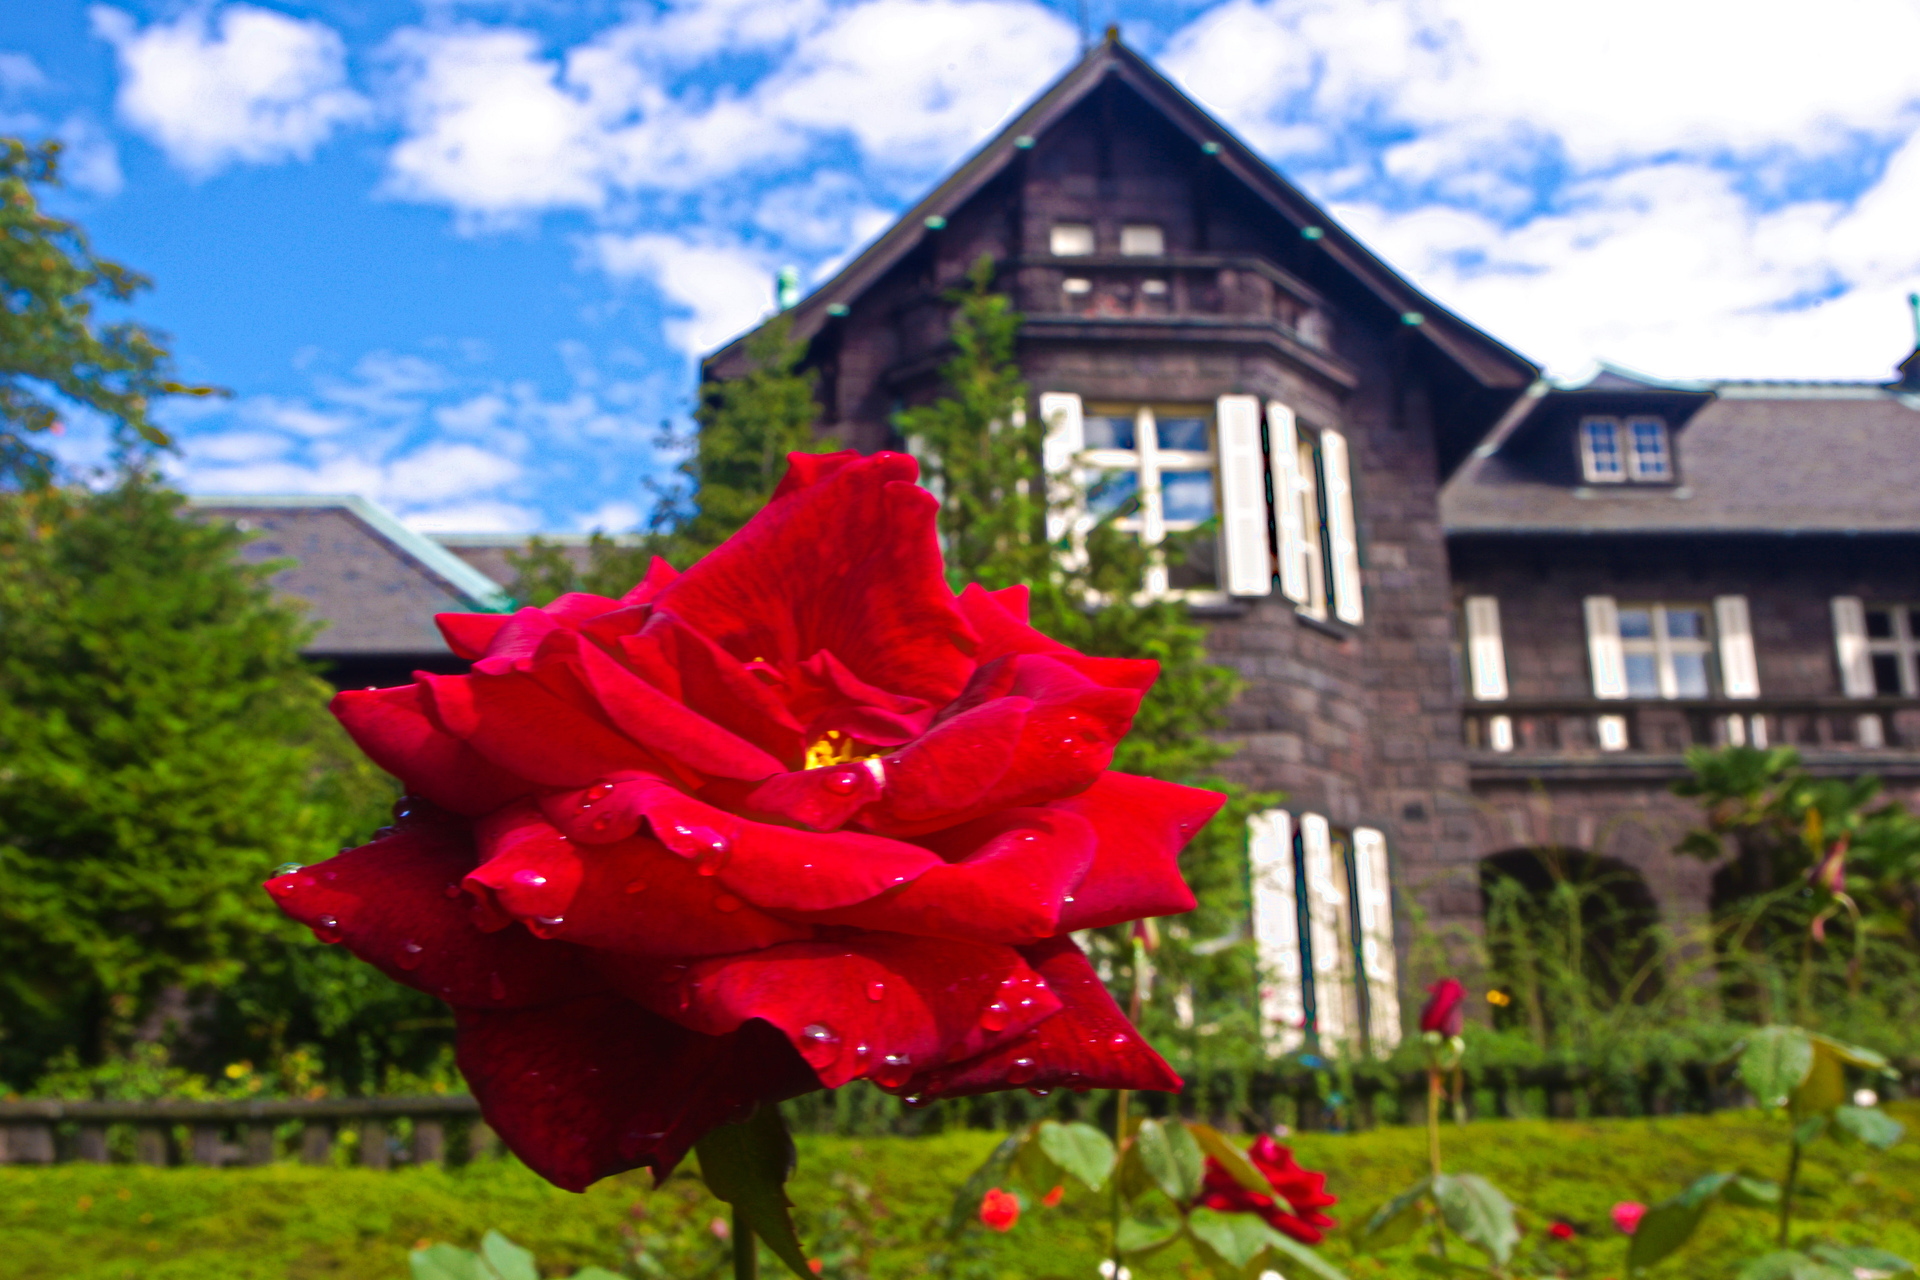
794 818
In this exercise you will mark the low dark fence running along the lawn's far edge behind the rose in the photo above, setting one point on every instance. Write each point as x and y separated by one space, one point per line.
381 1133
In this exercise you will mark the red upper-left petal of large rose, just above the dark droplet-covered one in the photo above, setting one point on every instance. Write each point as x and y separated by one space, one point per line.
396 734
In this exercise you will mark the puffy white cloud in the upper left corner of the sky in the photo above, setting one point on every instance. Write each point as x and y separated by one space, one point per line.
233 85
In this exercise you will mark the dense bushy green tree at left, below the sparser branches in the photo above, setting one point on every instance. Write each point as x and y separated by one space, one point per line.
162 749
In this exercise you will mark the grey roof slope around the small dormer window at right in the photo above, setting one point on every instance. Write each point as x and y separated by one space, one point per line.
1760 458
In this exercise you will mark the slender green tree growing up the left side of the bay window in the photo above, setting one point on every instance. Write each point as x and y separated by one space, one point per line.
982 454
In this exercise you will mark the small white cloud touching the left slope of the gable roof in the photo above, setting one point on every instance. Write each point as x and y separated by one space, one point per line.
717 289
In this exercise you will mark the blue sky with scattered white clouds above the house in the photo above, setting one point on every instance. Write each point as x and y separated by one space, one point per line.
462 258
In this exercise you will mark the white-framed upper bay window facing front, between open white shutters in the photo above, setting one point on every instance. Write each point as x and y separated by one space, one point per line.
1153 471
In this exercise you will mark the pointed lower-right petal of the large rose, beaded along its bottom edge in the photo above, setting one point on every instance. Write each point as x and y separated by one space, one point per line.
1088 1045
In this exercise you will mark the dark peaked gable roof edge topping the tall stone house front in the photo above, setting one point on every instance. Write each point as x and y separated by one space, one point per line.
1485 360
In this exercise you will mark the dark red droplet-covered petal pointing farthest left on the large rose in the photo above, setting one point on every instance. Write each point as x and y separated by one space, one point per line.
389 905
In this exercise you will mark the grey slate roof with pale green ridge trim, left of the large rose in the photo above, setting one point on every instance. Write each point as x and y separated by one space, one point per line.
373 582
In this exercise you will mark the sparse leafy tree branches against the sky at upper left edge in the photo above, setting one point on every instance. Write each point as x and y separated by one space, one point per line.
53 352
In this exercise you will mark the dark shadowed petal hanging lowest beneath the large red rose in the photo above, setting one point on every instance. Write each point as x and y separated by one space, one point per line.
600 1085
